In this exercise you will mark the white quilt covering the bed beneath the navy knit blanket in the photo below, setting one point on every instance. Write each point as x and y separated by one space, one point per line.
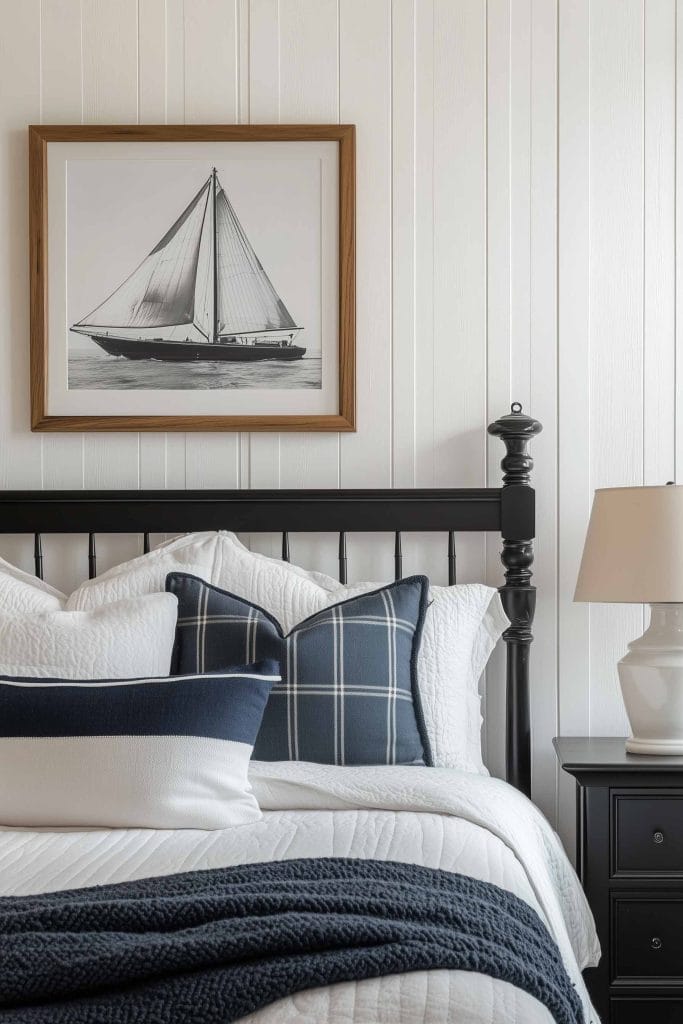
438 818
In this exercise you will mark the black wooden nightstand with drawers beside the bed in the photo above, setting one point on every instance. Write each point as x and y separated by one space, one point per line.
630 861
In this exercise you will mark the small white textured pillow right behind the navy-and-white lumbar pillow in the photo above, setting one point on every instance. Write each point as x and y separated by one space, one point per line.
132 637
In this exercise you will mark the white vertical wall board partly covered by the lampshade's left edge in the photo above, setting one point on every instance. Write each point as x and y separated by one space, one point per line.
574 355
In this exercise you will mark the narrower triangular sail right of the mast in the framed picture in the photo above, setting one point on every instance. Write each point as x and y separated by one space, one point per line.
247 301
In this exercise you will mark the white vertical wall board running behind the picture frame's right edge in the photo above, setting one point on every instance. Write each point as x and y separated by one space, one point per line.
365 73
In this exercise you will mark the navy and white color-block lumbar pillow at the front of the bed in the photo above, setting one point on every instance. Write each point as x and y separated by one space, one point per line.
159 753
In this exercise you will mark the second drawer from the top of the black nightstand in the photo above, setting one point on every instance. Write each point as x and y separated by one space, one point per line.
648 937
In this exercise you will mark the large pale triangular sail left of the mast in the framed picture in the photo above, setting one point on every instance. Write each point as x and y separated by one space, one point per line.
162 291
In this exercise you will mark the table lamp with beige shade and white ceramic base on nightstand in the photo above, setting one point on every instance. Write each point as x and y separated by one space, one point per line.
634 553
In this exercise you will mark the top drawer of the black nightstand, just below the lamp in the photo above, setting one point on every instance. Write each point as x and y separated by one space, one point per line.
649 833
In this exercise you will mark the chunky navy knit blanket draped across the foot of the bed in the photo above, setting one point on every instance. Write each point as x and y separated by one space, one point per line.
211 947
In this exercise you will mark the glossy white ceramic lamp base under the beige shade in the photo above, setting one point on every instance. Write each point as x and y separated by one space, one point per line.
652 678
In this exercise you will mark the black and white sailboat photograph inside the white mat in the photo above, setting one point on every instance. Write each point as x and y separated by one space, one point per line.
197 306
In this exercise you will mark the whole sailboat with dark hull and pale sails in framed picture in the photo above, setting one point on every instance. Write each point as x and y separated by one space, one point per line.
203 275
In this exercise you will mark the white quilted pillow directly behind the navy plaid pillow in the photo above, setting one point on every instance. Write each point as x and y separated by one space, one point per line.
461 629
